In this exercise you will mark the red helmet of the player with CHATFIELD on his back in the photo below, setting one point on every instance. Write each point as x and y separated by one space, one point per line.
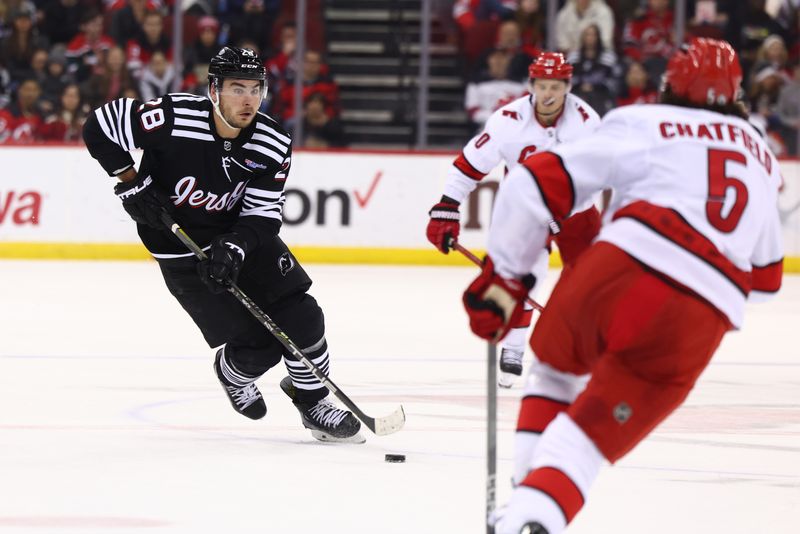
705 72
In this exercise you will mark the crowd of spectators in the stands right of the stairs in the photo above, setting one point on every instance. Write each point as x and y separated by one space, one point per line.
619 50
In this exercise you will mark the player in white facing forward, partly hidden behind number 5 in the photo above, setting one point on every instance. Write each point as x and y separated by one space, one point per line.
549 115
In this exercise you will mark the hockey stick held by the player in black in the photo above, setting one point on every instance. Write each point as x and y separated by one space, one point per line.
380 426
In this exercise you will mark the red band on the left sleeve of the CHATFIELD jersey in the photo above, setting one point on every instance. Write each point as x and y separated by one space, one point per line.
554 182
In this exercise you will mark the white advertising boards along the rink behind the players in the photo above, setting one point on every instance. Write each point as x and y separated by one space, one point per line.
60 195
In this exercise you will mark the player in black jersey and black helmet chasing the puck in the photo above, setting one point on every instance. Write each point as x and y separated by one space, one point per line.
218 166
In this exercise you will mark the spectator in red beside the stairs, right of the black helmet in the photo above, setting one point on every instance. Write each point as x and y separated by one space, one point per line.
316 79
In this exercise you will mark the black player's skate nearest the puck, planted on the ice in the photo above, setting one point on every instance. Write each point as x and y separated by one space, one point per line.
326 421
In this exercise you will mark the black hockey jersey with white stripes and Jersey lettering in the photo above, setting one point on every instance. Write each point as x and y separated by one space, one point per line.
217 185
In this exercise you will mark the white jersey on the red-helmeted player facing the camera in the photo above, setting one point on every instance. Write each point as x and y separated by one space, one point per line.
513 134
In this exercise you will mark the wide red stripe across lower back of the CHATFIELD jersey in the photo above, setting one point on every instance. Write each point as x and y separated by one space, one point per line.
671 225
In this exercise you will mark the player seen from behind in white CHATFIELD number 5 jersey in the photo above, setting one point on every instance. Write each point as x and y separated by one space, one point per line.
694 234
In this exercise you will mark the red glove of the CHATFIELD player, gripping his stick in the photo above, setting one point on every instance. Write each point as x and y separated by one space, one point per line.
494 303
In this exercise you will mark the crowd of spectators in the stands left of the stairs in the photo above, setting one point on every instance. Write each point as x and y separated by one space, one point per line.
59 59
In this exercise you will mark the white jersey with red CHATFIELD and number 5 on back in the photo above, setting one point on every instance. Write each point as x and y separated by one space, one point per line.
695 198
